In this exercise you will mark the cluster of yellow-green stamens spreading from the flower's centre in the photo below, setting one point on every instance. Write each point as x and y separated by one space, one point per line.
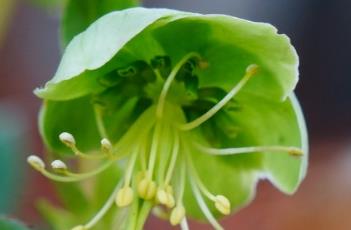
157 149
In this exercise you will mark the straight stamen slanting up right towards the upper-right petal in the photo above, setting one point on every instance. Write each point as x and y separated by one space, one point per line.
250 71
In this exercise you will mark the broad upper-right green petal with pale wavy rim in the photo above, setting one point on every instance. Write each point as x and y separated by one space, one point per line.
230 45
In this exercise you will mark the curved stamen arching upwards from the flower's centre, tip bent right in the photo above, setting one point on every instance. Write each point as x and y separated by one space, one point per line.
170 78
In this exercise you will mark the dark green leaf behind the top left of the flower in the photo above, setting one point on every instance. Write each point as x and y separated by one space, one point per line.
79 14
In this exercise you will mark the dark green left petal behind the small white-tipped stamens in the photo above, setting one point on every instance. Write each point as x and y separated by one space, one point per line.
74 116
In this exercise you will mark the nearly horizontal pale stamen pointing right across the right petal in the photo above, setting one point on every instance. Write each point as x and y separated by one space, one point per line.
294 151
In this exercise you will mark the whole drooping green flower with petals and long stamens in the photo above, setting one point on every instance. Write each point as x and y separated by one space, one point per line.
195 109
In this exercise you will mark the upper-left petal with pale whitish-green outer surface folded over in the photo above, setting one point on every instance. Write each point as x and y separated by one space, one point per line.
95 47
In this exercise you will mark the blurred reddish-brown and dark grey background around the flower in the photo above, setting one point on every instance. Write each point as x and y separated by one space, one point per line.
321 33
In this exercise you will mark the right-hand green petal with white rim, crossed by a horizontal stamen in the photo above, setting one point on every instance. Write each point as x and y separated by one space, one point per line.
273 123
